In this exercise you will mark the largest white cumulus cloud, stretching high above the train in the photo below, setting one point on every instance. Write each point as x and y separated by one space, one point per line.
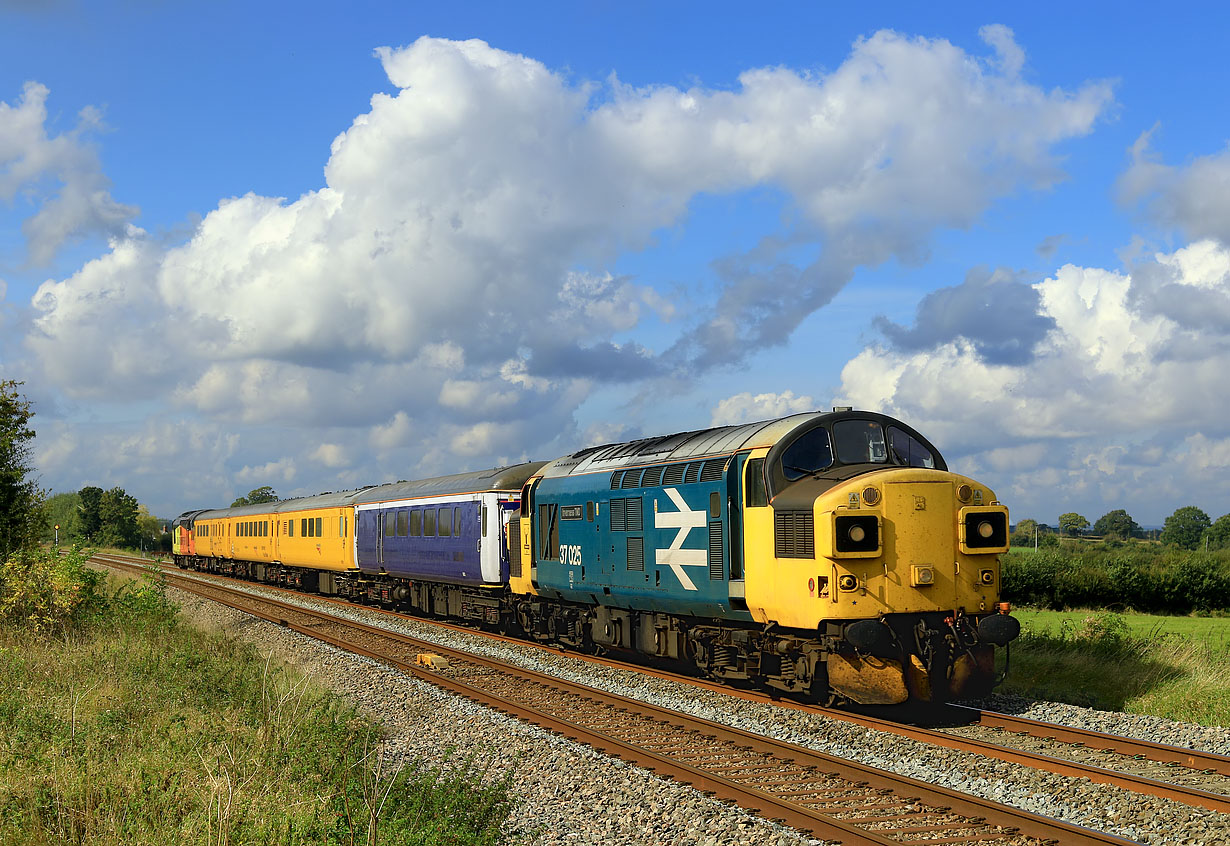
454 275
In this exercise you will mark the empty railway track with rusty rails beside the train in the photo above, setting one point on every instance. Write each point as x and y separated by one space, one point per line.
831 797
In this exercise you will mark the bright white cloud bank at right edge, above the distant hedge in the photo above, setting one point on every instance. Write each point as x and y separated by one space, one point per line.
1125 390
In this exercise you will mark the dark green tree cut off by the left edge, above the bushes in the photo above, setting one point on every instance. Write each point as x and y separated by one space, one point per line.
22 501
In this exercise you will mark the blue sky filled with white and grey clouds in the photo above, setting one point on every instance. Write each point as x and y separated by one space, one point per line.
319 247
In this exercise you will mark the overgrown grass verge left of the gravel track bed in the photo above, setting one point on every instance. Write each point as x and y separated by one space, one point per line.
127 727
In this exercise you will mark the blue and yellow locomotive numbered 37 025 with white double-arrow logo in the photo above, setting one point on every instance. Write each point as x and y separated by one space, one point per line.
825 554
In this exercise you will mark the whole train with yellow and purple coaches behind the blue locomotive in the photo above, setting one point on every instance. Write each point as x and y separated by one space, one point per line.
827 555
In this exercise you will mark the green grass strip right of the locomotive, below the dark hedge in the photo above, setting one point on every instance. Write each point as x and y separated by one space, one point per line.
1168 667
